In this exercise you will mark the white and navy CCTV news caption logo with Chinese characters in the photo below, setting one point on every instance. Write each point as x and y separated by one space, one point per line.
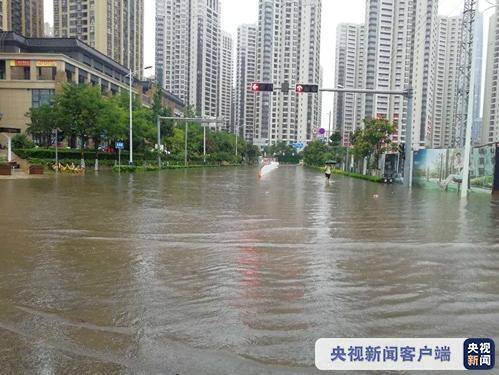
404 354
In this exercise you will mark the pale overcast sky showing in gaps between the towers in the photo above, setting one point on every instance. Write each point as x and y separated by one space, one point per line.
236 12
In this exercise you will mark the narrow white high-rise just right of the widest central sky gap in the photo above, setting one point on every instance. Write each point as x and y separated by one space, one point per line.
349 74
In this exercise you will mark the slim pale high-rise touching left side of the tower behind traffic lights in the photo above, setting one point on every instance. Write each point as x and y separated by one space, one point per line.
245 104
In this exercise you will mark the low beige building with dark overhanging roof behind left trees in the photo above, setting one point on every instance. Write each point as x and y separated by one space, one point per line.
31 70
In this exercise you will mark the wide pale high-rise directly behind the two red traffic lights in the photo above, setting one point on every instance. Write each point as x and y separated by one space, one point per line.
288 41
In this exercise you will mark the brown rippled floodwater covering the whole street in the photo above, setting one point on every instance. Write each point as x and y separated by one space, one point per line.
217 272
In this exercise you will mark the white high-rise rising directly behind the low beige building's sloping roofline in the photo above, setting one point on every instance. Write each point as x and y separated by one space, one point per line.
188 55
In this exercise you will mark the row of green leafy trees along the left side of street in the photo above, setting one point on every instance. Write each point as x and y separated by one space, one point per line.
87 119
